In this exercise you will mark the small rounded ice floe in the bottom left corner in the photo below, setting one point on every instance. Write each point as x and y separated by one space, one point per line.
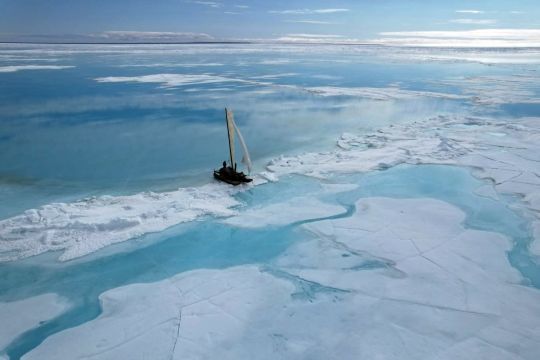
22 315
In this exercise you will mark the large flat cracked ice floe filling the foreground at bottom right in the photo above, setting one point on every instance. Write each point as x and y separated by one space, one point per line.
431 289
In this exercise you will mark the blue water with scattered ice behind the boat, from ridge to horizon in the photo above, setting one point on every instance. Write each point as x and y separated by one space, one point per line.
123 119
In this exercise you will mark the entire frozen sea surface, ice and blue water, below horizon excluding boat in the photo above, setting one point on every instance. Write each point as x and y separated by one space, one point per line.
395 207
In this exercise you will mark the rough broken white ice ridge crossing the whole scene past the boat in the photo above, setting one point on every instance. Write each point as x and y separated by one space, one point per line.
510 161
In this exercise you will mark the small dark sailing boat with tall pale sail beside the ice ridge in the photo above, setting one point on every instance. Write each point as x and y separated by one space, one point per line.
228 173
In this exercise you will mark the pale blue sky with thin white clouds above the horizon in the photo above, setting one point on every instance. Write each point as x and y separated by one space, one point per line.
285 20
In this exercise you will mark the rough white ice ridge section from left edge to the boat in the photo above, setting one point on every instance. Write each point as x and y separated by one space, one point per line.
83 227
